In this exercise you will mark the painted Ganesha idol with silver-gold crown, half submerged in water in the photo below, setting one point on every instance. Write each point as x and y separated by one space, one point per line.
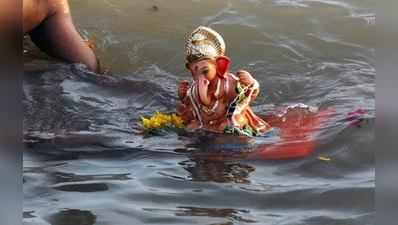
217 100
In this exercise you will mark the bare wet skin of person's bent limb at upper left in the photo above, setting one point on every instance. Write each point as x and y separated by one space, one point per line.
50 26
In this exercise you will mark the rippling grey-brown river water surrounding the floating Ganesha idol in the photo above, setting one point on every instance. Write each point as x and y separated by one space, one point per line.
86 161
